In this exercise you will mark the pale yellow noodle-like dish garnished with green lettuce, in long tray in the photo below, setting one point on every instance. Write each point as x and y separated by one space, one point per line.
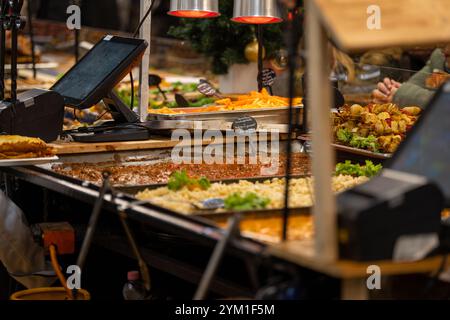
244 195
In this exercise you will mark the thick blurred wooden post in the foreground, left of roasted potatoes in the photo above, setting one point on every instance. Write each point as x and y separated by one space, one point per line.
319 92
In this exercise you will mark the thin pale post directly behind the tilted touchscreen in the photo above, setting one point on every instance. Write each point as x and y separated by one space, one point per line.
144 33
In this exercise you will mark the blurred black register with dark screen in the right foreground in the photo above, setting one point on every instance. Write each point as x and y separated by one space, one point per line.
397 215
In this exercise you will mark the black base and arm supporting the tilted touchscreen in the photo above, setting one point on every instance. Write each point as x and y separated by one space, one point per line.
125 126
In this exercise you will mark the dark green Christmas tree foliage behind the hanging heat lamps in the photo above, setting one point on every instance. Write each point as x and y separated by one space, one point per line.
224 40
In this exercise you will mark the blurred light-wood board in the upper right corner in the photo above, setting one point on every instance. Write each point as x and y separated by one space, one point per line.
368 24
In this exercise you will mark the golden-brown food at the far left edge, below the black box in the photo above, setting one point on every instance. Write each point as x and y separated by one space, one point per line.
19 147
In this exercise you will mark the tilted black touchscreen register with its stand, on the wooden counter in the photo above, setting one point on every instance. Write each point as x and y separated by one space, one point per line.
93 79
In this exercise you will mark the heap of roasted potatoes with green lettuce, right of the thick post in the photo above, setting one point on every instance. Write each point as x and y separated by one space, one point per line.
376 127
